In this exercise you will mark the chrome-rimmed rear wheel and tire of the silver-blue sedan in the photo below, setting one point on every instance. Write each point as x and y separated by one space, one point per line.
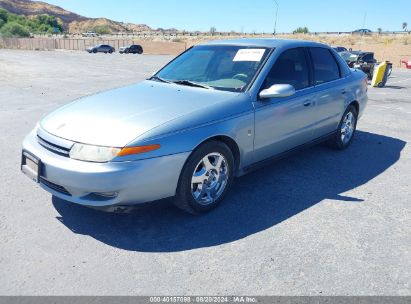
338 141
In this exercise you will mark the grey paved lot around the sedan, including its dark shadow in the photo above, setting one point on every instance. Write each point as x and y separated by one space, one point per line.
317 223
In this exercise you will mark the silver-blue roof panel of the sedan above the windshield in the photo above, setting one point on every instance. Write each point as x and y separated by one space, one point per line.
265 42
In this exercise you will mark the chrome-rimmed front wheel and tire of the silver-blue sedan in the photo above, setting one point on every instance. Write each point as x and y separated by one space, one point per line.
209 192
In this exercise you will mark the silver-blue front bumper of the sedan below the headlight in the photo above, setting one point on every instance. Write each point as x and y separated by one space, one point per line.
87 183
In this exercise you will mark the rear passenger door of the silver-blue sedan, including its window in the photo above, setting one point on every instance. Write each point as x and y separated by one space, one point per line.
331 90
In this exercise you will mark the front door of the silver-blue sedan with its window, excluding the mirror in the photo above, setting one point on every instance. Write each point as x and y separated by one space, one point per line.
284 123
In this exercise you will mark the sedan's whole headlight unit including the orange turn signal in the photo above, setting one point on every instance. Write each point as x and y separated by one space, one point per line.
100 154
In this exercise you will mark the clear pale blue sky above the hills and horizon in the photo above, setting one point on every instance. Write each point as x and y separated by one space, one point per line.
249 15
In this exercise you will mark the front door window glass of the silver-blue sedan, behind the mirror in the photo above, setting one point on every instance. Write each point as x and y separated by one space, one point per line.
290 68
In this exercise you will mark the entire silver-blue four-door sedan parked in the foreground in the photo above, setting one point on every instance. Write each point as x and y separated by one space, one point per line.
216 112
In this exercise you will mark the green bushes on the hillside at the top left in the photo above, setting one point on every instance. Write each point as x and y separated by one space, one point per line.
13 25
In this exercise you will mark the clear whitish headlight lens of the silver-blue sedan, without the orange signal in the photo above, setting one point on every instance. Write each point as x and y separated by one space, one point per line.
93 153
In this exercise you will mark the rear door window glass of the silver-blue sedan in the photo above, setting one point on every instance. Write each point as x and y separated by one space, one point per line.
325 67
